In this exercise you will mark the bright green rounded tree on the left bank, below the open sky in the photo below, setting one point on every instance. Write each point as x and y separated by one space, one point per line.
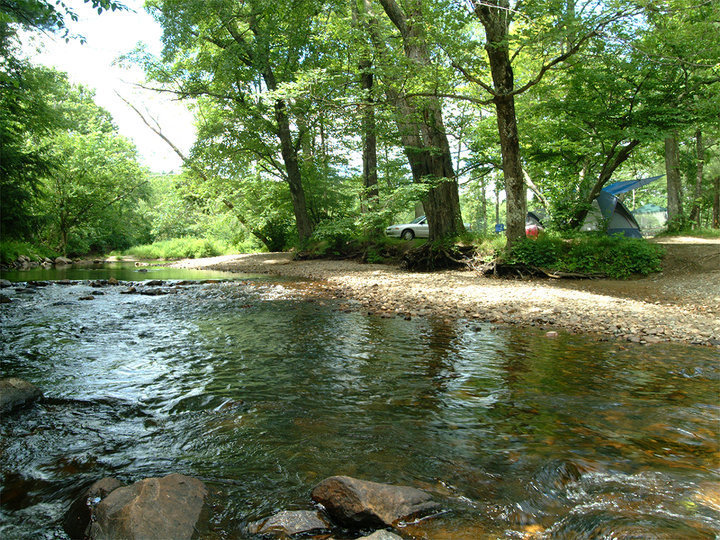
96 180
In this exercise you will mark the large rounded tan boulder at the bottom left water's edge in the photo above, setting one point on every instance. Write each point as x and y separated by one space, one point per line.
167 507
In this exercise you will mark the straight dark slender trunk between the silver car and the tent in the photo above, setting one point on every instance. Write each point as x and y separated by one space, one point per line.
495 18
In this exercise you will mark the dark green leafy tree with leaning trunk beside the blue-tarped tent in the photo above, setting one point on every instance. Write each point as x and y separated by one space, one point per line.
587 123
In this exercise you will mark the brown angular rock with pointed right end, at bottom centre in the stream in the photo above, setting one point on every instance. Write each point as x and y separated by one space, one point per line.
359 503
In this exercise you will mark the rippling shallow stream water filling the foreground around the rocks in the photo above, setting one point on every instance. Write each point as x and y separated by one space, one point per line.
262 391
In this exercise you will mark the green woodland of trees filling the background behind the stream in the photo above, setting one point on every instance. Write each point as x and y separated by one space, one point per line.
325 121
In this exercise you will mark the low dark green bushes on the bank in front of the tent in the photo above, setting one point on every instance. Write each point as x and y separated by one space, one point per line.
613 256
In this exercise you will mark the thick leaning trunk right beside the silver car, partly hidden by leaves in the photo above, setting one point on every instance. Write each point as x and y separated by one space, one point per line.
425 141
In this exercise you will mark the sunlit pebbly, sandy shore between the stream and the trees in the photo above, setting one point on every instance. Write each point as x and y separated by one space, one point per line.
681 304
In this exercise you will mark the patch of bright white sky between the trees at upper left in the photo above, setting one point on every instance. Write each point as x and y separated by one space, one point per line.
109 36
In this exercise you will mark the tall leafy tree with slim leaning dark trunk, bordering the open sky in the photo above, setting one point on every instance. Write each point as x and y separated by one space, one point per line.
248 59
